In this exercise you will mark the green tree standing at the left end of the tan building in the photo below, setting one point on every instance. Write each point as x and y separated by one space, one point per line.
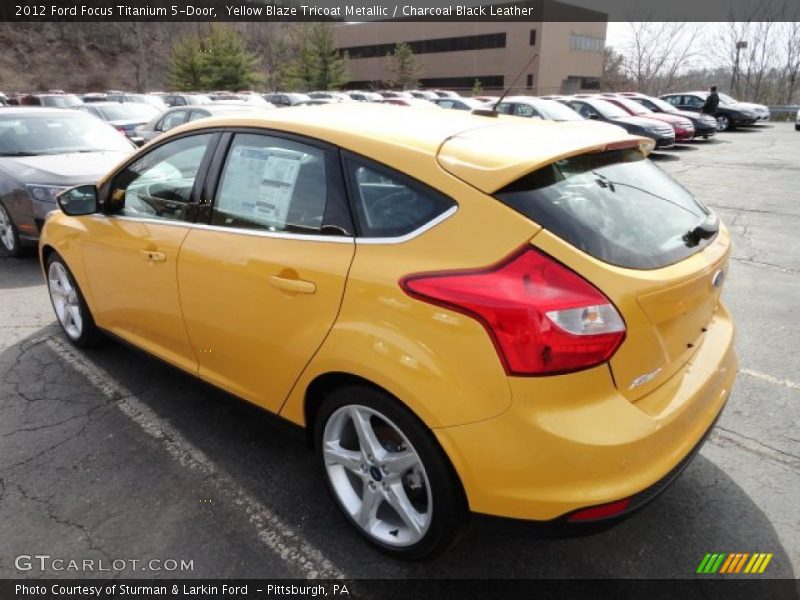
318 65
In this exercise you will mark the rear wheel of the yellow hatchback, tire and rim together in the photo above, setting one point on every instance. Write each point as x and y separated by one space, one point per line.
387 473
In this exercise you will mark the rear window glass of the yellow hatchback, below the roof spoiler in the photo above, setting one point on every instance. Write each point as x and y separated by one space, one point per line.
616 206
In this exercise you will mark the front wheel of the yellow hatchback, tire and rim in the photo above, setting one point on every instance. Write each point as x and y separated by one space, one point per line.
71 311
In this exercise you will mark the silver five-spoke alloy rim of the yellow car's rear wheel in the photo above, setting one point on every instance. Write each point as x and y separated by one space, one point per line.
377 475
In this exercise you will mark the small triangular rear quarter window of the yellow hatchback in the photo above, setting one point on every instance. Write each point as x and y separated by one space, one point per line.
389 204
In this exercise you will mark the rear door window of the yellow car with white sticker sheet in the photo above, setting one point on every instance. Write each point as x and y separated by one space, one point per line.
272 184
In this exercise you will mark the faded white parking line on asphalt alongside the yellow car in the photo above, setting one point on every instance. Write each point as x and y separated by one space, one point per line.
273 532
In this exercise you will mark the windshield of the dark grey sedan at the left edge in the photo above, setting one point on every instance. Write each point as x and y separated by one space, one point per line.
30 135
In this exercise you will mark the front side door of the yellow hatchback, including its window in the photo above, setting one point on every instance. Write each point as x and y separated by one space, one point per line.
130 255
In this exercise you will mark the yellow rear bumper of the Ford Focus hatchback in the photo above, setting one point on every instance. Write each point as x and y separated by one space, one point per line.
571 442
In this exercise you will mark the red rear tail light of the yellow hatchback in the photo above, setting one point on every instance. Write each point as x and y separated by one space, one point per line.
542 317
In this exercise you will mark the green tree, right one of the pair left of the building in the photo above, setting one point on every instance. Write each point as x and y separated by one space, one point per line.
228 63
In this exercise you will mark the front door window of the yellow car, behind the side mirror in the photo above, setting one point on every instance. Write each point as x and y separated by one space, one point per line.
159 184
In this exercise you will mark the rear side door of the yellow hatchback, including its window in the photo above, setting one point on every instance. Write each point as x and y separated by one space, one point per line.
262 281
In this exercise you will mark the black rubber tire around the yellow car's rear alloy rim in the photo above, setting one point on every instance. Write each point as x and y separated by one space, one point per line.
449 514
